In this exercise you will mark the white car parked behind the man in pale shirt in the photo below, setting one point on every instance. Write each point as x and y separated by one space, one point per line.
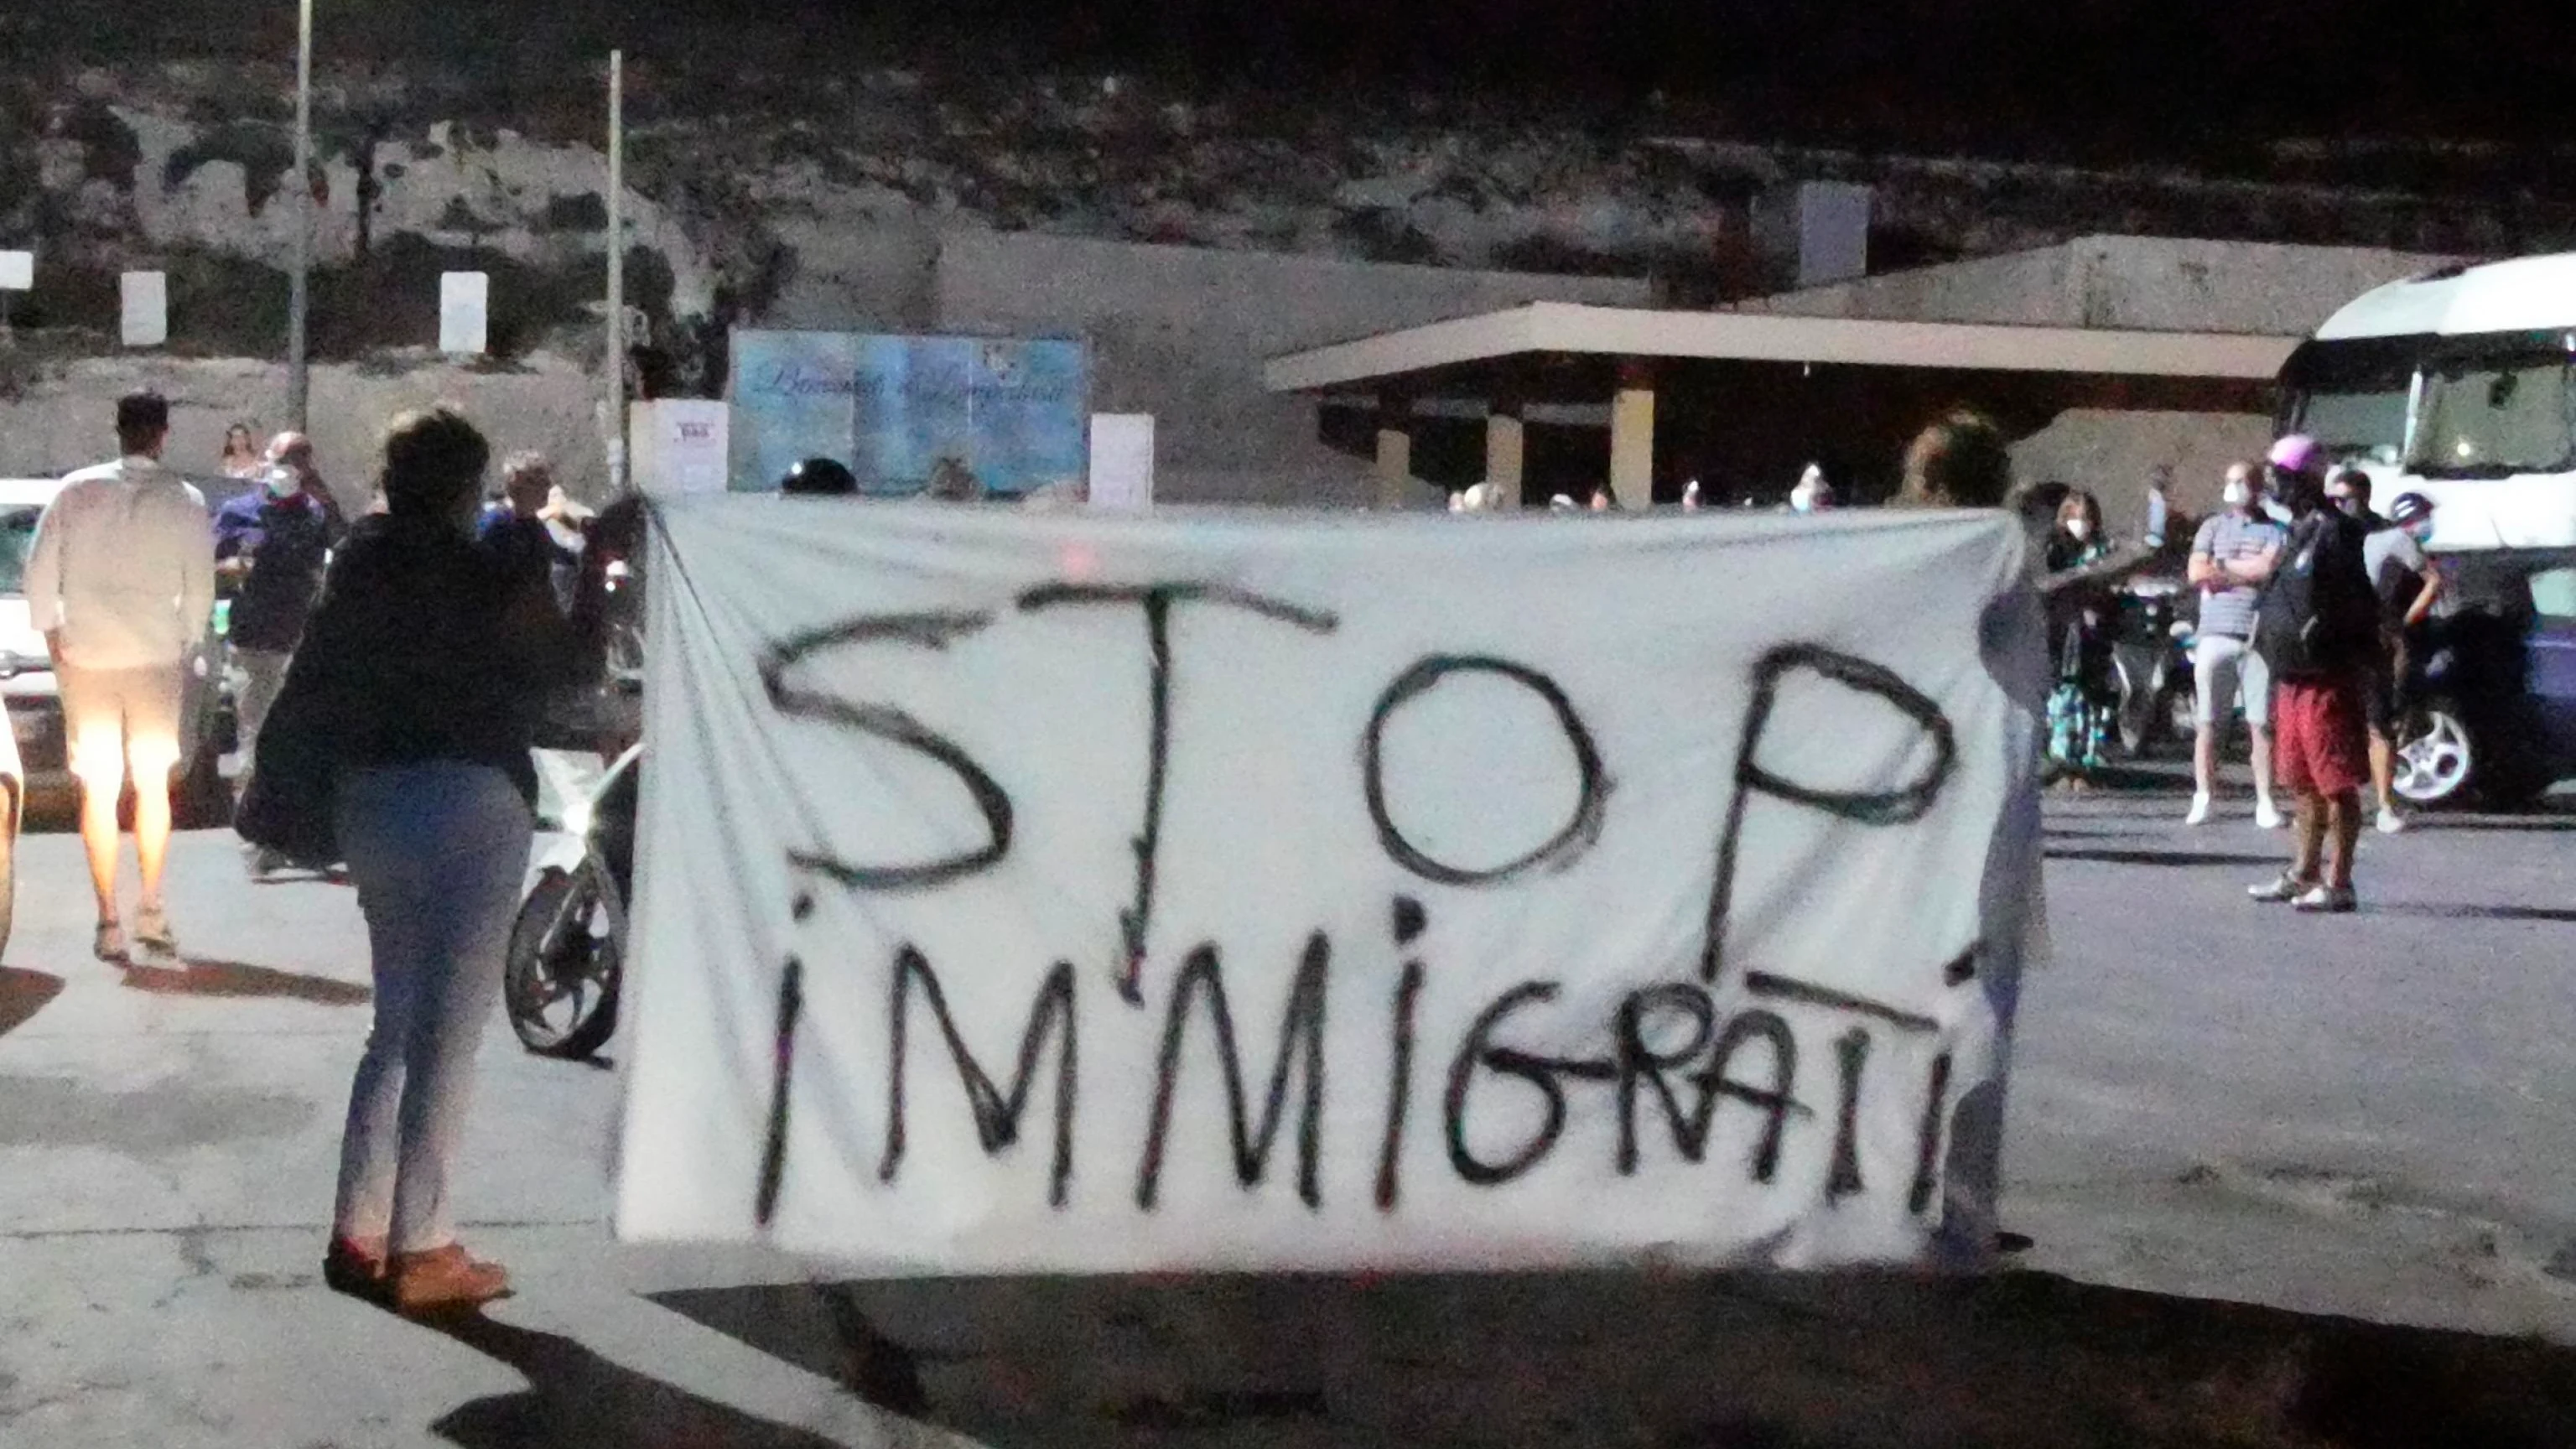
35 703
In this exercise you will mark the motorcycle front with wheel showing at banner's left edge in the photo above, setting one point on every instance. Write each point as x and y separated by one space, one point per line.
568 950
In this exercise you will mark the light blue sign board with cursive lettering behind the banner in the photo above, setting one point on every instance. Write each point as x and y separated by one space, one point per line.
1014 411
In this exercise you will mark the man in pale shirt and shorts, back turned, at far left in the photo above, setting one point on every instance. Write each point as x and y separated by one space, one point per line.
122 584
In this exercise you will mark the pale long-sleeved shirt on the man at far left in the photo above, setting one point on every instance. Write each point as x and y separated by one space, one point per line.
125 566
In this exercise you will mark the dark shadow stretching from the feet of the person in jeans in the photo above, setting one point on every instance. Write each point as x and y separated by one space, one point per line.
578 1401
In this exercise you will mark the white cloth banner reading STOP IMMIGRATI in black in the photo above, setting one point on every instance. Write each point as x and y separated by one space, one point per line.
1099 893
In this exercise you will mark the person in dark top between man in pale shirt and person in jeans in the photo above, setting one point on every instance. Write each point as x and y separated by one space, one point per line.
269 550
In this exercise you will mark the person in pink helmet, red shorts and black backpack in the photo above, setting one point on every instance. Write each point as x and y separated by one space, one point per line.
2320 633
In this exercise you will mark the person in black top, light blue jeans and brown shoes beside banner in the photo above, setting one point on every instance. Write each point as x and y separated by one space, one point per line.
429 661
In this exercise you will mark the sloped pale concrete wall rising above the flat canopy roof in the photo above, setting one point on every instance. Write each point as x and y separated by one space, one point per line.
2160 285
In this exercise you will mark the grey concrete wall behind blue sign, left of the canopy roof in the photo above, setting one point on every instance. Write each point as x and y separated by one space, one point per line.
1184 334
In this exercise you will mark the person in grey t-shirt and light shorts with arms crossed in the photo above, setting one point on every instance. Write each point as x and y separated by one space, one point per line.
2232 556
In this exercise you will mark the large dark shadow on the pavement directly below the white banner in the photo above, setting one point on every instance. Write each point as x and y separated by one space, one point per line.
1810 1363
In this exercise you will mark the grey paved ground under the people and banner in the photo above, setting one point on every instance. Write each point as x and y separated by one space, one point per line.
2363 1118
